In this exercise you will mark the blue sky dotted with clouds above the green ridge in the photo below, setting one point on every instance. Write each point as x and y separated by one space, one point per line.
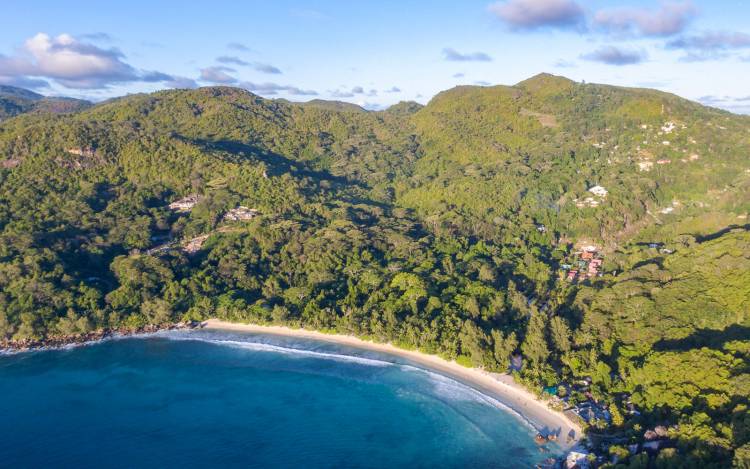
375 53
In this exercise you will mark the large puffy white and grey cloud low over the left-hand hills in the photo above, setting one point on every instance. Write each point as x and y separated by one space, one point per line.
72 63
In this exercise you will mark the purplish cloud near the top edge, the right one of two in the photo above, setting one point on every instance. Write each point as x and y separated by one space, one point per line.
670 19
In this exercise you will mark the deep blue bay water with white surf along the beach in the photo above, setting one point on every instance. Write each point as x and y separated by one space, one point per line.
207 399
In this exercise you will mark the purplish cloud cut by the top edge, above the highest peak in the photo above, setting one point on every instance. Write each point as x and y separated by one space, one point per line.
537 14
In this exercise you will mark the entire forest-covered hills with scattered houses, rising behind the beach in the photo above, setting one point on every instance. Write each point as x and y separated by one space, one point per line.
458 227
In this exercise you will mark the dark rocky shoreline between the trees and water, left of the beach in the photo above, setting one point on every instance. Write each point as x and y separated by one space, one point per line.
54 342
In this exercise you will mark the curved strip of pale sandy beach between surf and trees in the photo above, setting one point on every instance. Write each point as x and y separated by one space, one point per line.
499 386
